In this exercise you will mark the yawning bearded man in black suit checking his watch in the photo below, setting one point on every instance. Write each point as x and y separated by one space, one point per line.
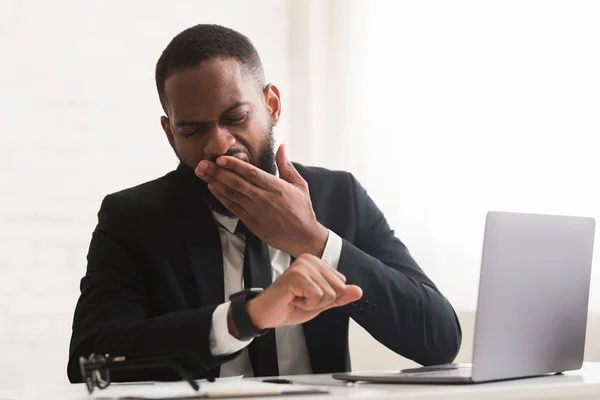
250 262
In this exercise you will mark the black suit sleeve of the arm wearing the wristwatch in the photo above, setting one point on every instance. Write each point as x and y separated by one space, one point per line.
111 315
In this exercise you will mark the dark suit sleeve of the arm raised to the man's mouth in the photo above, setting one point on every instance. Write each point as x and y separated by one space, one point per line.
401 307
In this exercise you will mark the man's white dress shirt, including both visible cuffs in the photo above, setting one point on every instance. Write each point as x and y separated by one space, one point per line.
292 354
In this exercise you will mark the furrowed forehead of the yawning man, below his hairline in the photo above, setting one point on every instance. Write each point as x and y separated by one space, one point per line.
208 89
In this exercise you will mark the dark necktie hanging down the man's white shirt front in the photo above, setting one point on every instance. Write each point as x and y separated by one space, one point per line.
257 273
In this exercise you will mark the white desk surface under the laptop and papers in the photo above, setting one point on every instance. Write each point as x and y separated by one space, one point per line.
583 384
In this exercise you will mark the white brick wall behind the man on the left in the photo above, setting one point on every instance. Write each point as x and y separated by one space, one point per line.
79 118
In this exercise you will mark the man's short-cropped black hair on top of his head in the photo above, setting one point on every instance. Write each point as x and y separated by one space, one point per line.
205 42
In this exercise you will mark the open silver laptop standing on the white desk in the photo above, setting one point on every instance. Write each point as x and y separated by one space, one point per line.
533 302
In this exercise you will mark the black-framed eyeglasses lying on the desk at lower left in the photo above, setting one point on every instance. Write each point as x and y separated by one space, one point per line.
95 370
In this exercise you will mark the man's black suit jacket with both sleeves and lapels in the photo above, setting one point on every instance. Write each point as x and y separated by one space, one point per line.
155 275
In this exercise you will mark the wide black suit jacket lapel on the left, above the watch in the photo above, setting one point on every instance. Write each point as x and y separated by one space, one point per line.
198 232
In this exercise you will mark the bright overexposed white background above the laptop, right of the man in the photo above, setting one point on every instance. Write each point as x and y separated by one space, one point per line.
473 106
